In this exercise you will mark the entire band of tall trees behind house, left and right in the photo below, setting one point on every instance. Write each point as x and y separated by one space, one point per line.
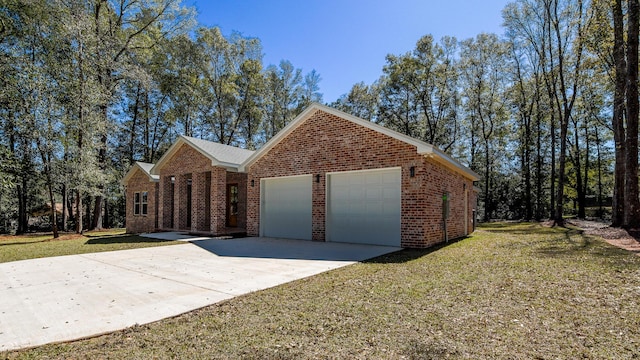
546 113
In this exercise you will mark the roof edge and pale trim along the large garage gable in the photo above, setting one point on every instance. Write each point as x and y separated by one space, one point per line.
422 148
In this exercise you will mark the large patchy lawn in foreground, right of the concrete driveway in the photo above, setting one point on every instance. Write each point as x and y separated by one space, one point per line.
511 291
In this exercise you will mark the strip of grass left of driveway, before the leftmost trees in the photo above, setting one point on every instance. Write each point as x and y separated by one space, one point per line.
13 248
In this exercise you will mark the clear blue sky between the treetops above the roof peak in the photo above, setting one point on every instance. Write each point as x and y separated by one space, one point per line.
346 41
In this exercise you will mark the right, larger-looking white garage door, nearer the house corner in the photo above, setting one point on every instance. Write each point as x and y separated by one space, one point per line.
364 207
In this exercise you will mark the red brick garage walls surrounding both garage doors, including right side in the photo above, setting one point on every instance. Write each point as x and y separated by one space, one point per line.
327 143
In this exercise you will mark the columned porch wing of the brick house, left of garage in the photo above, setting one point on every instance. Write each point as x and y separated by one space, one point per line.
199 189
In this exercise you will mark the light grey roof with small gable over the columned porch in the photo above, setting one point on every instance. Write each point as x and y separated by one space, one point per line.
226 156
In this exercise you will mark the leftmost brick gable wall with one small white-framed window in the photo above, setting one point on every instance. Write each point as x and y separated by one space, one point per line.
139 182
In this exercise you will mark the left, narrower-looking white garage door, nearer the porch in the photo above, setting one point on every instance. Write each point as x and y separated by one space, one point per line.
285 207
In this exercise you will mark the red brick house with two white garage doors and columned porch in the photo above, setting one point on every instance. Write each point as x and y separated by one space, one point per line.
327 176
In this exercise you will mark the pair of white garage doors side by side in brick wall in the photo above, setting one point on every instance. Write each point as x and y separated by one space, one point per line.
361 206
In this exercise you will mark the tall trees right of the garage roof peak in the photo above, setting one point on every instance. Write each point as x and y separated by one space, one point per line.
546 114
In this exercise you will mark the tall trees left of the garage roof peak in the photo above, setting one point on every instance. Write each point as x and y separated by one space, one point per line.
89 87
